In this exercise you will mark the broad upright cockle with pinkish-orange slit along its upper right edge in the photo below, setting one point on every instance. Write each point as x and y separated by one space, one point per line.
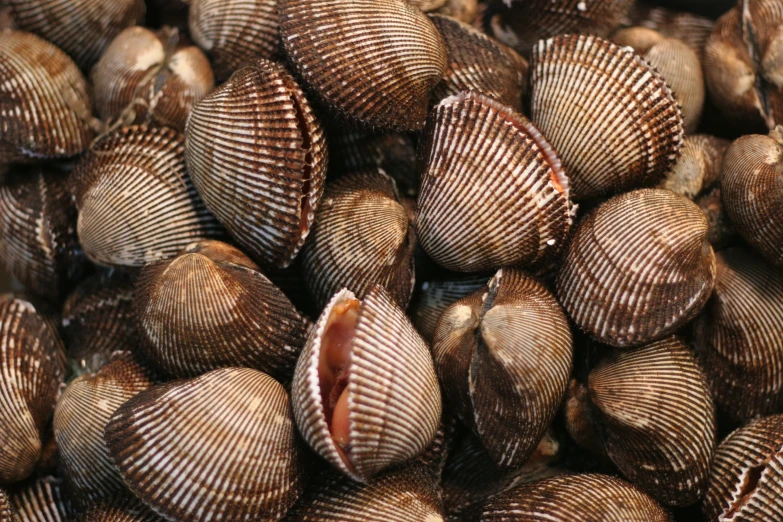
456 225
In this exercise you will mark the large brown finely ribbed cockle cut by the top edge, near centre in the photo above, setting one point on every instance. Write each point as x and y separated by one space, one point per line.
327 41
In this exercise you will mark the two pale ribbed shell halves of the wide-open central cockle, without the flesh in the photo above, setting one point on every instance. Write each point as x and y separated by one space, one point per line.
394 401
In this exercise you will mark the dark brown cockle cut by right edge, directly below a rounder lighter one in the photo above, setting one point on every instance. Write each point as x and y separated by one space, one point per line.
739 335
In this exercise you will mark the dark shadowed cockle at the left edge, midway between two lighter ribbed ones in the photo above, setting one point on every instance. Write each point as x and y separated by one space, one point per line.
38 242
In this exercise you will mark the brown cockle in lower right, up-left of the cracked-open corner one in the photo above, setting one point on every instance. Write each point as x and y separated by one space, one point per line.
659 419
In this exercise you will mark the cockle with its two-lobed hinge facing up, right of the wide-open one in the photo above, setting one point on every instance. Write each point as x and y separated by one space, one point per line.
488 350
